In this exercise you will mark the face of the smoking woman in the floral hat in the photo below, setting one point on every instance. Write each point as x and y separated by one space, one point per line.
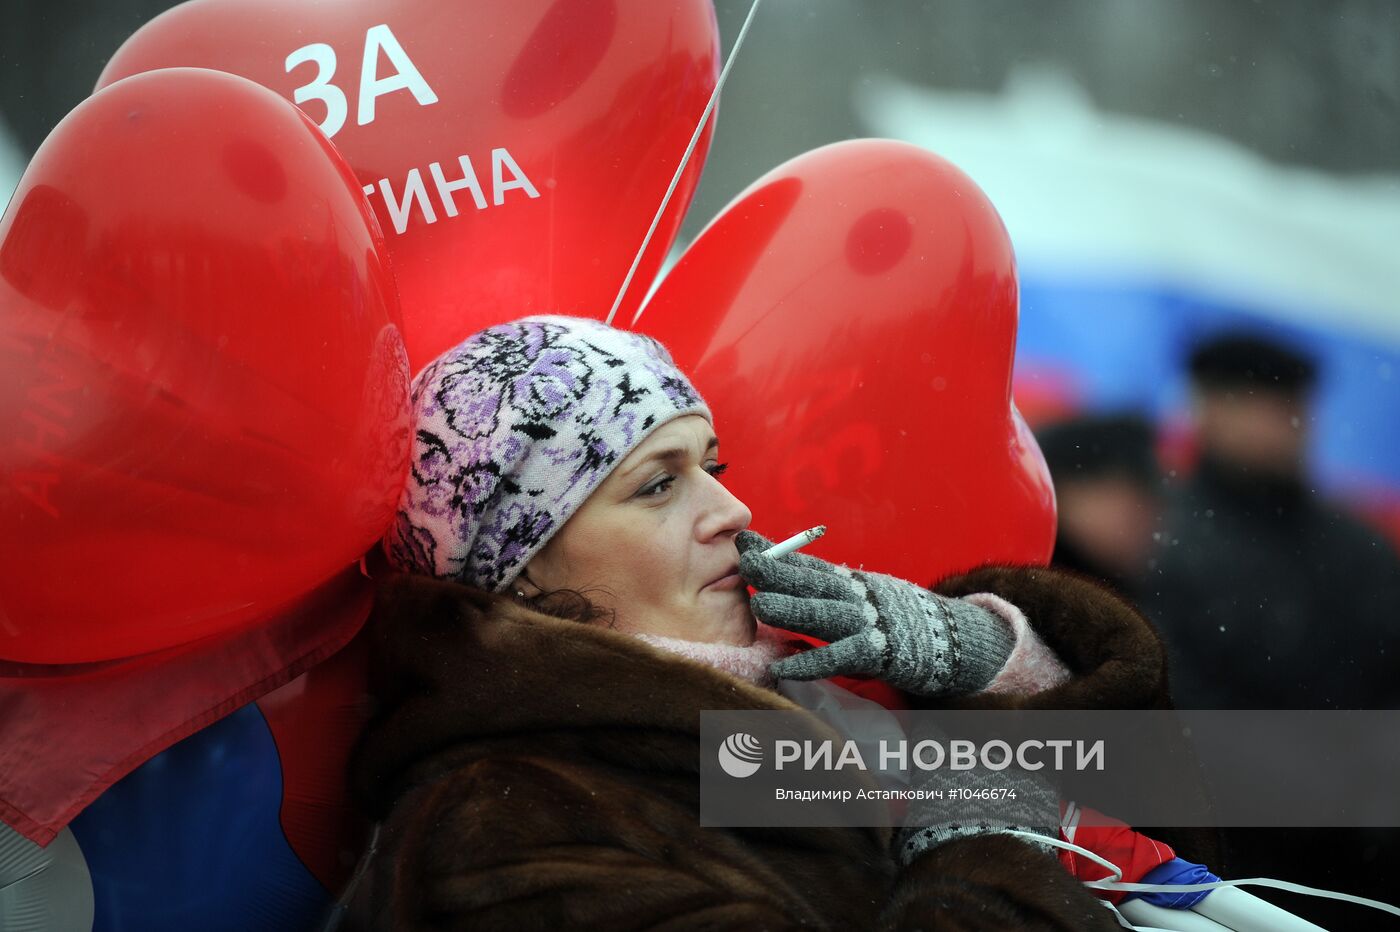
654 544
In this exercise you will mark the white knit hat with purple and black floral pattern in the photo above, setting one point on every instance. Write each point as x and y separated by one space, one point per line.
514 429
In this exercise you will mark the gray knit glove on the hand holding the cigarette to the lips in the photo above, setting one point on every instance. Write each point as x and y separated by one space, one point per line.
878 626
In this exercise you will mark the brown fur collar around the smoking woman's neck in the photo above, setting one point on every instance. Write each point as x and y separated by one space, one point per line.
460 667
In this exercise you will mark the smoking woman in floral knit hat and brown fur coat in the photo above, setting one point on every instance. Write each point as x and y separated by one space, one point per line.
533 770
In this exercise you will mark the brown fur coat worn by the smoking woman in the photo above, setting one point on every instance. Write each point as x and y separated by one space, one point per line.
537 773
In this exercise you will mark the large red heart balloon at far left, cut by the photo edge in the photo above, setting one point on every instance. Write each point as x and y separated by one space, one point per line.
202 381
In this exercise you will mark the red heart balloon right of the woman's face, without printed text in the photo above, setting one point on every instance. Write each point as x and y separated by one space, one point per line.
852 321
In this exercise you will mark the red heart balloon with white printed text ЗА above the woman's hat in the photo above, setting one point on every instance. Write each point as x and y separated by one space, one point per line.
516 152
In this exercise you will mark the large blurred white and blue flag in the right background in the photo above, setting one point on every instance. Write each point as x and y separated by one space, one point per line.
1137 239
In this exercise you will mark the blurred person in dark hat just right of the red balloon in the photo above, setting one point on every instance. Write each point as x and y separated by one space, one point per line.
1108 496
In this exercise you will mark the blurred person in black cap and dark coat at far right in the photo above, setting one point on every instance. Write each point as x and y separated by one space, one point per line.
1269 595
